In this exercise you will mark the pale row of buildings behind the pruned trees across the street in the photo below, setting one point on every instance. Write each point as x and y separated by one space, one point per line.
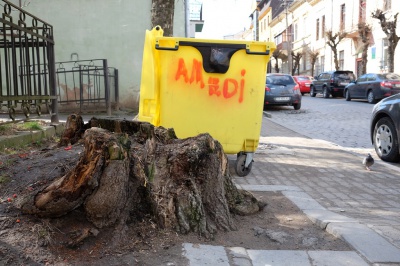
300 26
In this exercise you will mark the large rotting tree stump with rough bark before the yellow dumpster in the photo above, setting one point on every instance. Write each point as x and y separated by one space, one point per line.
184 184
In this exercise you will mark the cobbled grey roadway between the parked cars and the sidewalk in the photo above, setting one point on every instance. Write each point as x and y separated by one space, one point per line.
335 120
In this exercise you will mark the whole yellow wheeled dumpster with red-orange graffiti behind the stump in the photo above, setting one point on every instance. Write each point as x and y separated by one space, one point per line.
206 86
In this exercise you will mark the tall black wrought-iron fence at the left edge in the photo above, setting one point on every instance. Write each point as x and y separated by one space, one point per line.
27 65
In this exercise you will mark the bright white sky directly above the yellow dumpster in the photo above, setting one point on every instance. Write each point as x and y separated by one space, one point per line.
225 17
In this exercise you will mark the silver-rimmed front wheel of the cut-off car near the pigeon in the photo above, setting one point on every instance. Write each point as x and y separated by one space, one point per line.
385 140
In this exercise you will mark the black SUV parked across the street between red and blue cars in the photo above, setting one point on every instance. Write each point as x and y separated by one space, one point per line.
331 83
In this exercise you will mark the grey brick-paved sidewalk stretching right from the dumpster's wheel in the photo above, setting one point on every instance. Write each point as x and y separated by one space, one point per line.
335 178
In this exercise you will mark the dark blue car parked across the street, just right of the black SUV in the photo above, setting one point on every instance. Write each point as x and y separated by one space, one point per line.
373 87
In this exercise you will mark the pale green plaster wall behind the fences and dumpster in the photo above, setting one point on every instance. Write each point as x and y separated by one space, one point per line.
109 29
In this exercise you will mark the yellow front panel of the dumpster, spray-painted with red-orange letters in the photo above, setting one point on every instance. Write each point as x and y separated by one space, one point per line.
228 106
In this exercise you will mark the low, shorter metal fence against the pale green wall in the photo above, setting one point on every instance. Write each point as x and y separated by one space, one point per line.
87 85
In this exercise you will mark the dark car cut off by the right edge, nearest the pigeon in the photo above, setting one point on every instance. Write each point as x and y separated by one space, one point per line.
385 128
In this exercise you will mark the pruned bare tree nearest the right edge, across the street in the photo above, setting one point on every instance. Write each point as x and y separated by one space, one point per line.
389 28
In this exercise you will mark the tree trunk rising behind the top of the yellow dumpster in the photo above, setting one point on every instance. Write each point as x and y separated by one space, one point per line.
162 14
